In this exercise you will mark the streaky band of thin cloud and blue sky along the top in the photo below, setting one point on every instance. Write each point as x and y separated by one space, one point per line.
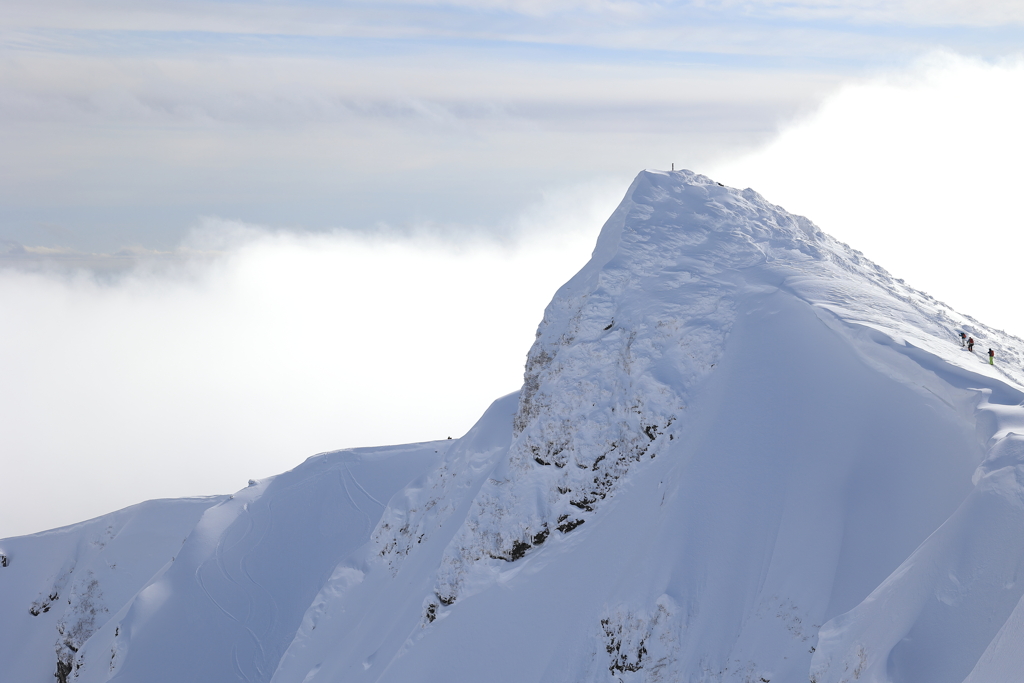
825 35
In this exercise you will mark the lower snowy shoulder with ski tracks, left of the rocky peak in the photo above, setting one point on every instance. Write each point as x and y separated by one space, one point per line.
201 589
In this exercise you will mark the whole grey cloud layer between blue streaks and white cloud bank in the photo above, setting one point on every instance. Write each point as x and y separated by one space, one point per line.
118 152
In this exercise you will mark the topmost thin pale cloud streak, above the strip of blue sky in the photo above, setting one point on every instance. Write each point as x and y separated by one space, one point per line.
405 18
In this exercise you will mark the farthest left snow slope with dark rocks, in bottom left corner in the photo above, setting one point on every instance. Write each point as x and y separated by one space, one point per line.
59 588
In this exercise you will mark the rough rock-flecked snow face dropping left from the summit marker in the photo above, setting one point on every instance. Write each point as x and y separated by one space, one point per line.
620 350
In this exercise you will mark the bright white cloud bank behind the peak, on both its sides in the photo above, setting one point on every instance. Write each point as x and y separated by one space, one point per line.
244 350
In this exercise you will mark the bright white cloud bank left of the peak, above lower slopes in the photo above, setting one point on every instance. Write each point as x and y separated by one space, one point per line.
192 377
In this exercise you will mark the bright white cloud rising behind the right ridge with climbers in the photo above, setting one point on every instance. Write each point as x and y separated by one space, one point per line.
922 172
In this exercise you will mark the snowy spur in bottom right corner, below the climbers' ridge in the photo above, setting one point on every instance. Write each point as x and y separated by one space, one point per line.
935 617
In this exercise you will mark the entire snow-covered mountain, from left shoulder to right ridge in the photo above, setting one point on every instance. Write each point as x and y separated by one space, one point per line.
743 453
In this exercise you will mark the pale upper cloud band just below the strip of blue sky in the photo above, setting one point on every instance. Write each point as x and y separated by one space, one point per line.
441 91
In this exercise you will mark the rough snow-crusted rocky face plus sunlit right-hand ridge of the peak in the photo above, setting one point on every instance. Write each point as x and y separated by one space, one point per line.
626 343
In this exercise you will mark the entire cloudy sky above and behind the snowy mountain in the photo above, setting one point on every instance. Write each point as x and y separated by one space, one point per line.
236 234
